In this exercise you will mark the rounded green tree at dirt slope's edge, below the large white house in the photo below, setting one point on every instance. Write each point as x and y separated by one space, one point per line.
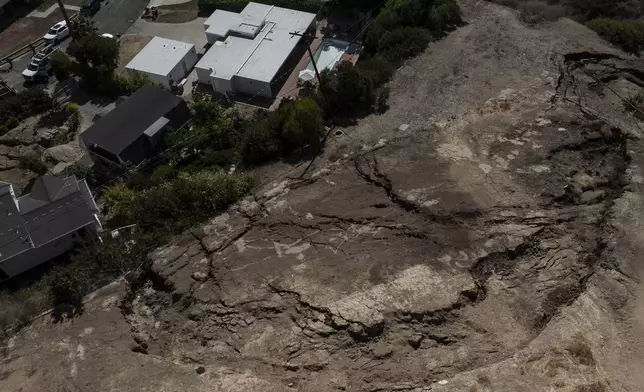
304 125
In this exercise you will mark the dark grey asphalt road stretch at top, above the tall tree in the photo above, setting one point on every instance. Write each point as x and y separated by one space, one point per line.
116 16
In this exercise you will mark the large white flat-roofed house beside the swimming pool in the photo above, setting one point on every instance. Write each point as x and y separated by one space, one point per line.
249 49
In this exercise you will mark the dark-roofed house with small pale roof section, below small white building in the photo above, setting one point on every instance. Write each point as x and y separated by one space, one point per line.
131 132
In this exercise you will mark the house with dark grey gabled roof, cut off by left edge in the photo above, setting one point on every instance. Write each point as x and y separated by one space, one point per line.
45 223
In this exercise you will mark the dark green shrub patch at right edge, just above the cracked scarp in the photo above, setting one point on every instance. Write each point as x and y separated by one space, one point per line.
628 35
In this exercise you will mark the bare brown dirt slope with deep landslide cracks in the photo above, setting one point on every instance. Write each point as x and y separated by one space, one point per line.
491 245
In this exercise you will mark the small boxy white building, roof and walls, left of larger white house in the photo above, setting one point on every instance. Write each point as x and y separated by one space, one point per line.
164 60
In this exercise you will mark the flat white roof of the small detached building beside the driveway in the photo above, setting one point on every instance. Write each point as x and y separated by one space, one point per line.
160 56
